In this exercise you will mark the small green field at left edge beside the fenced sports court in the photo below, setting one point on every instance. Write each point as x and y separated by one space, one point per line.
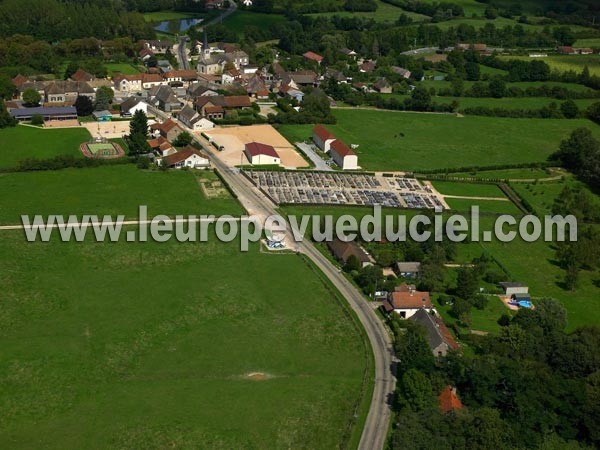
22 142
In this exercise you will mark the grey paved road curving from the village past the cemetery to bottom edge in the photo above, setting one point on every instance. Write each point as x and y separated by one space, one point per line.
378 419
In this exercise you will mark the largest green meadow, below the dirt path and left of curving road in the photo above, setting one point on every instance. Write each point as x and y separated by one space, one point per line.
154 346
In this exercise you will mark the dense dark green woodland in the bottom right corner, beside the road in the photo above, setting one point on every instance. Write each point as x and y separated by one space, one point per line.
531 386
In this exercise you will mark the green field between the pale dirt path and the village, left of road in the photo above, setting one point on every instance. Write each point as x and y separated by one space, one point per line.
107 190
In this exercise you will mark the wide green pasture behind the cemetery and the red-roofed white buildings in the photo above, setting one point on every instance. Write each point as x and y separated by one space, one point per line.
411 141
